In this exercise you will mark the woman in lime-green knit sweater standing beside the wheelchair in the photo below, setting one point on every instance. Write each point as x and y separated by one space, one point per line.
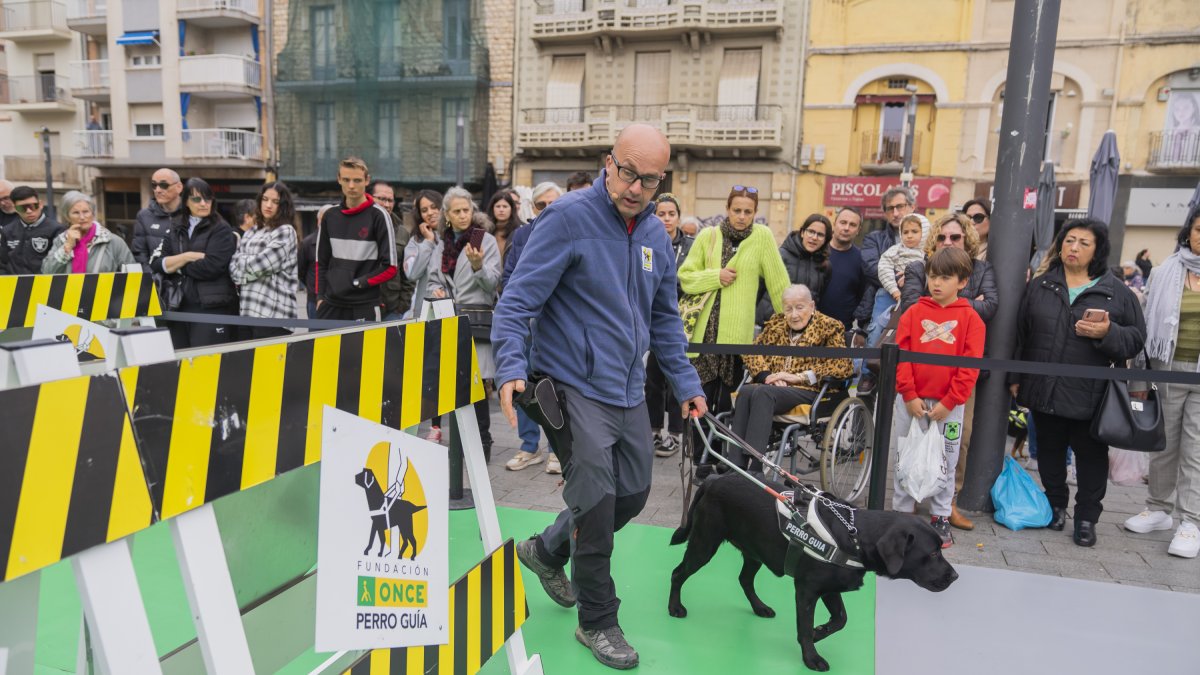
731 259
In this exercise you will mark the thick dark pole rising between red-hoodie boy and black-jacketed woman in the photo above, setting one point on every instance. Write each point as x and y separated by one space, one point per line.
1022 138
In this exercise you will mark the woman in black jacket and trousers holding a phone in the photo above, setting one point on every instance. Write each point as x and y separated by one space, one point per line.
1052 328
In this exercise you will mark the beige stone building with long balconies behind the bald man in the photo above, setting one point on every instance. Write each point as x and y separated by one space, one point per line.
722 79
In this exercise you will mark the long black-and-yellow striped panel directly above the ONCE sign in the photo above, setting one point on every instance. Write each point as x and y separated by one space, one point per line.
213 426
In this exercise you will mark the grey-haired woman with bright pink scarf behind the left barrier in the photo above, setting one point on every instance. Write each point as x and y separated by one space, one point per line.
86 246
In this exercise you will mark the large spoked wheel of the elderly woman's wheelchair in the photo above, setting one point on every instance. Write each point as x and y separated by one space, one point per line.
847 450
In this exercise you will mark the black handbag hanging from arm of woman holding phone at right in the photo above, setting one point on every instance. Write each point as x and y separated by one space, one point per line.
1127 423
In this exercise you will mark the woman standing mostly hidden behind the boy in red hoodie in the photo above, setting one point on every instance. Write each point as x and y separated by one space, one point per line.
957 231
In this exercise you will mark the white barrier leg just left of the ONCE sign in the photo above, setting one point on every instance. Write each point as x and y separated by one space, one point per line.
211 595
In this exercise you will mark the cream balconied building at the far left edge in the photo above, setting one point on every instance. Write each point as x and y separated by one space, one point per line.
39 51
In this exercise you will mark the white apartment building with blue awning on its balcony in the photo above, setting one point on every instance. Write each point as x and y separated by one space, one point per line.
171 83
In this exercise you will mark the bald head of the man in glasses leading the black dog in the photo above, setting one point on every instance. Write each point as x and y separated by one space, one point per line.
641 153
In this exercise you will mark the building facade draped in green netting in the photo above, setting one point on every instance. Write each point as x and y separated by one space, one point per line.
405 86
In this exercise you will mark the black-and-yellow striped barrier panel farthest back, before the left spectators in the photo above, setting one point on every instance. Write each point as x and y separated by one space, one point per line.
92 297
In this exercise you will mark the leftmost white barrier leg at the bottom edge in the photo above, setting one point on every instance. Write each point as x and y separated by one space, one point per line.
112 605
